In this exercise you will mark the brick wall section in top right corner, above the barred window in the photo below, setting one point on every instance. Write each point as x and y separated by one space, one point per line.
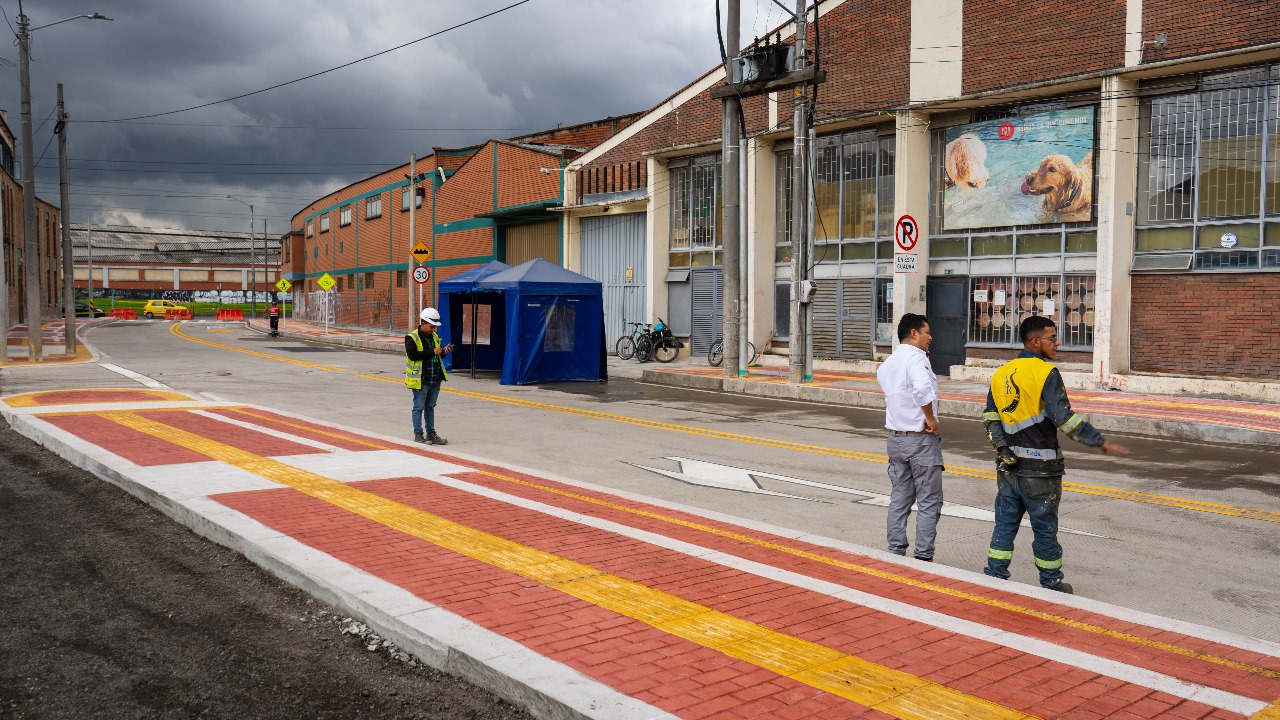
1206 26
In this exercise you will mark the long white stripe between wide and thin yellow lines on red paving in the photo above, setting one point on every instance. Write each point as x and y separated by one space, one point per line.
1034 646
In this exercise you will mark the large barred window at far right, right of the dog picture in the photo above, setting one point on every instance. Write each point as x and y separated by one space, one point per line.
1209 180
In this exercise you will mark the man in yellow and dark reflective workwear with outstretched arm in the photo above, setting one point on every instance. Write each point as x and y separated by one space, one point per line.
1026 408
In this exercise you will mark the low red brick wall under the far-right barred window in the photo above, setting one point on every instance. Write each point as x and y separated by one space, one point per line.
1206 325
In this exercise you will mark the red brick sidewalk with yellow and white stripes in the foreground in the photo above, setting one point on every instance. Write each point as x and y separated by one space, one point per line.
579 603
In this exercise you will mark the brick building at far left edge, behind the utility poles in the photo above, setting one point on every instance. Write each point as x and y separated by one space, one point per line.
13 244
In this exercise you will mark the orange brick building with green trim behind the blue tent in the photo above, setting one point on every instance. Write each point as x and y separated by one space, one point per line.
491 202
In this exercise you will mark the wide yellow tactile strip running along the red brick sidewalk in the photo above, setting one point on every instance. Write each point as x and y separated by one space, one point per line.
890 691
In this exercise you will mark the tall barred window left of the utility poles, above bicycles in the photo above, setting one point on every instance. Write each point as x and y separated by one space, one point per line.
697 211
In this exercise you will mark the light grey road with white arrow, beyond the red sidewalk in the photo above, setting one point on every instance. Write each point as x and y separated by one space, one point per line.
1203 562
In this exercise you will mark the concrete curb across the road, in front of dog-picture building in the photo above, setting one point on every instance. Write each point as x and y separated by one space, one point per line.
1124 425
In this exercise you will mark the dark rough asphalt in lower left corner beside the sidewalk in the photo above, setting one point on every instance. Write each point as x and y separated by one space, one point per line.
108 609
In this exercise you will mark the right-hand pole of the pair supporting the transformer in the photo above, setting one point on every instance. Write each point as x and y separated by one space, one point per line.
798 366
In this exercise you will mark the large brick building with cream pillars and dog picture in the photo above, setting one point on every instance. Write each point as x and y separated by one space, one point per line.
1114 166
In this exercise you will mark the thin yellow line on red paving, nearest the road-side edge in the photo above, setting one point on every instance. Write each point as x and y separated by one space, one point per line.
903 580
